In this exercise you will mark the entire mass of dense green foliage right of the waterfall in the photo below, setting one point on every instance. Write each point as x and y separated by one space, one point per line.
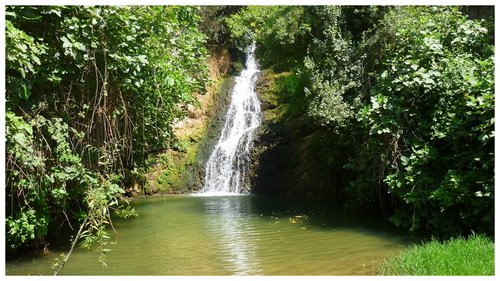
399 100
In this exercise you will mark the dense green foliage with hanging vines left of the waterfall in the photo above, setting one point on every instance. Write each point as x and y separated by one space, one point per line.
91 91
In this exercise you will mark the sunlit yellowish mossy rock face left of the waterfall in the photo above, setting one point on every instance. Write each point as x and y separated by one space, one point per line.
180 169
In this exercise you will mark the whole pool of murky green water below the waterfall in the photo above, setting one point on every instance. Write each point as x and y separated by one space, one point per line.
231 235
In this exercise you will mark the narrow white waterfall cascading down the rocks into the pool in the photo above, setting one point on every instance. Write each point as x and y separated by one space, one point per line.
227 167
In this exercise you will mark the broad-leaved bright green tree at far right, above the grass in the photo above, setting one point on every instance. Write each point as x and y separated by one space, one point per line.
431 119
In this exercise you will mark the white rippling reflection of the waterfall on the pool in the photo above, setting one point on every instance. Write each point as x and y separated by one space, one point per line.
228 221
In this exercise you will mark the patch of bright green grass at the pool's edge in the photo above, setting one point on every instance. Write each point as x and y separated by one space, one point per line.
457 256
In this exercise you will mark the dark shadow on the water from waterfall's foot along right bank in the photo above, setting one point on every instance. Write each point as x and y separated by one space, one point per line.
318 216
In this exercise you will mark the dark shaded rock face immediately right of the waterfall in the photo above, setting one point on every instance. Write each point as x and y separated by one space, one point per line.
288 156
